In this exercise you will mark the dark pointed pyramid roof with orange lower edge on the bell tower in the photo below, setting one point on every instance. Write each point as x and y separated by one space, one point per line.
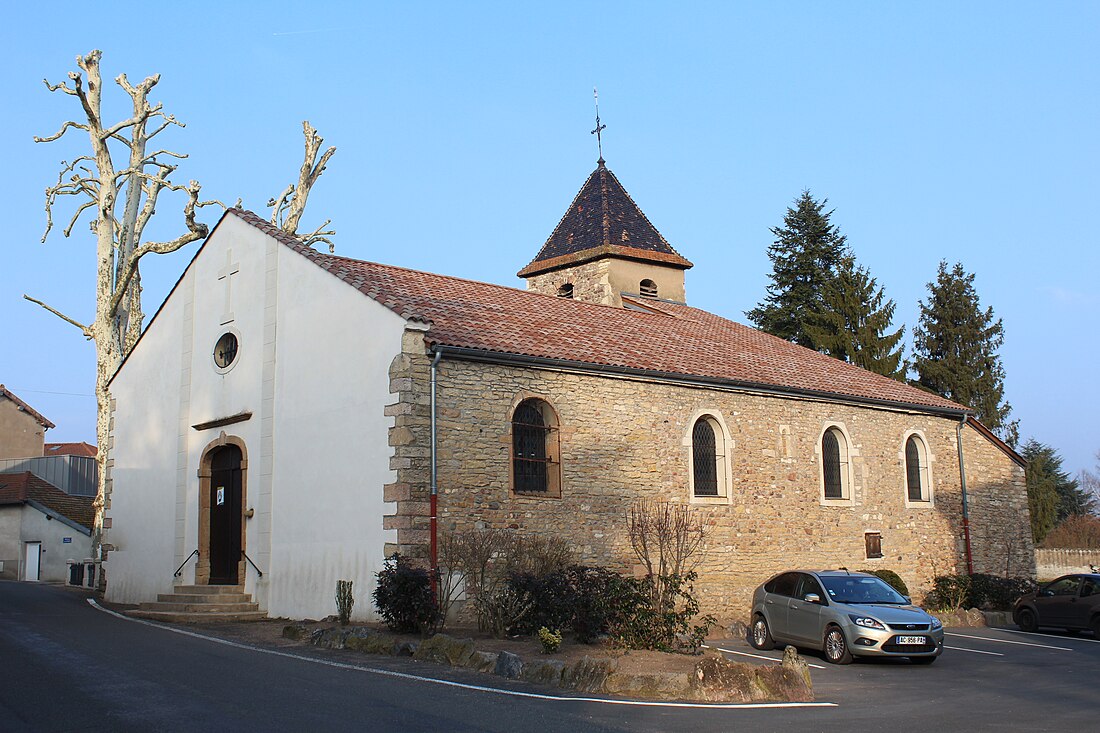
603 221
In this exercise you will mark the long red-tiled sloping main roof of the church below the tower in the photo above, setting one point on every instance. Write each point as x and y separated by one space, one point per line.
663 338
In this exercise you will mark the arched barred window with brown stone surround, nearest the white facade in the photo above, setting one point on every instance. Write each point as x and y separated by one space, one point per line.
535 460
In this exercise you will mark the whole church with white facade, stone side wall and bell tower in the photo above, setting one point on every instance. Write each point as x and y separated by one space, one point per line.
292 418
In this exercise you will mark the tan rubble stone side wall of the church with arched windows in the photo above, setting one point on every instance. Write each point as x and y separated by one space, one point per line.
623 440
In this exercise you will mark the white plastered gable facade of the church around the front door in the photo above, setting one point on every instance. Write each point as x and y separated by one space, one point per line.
307 391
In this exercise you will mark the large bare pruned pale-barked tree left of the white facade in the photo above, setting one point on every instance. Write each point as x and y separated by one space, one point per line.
119 183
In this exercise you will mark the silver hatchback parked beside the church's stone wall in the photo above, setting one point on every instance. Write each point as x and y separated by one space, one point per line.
844 615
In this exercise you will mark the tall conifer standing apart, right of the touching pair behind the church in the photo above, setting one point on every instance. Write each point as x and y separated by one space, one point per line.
955 351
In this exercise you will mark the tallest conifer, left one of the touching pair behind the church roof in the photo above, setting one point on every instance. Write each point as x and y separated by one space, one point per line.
805 256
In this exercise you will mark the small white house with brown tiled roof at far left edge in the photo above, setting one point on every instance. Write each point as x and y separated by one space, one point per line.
43 531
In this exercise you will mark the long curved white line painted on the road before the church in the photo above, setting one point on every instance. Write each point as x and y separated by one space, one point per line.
478 688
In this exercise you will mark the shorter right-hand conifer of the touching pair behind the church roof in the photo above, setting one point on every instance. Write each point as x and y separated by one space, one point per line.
853 325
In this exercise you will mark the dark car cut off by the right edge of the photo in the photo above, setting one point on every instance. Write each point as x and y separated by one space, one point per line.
1071 603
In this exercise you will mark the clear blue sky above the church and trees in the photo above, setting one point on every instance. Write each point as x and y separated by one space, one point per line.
958 132
